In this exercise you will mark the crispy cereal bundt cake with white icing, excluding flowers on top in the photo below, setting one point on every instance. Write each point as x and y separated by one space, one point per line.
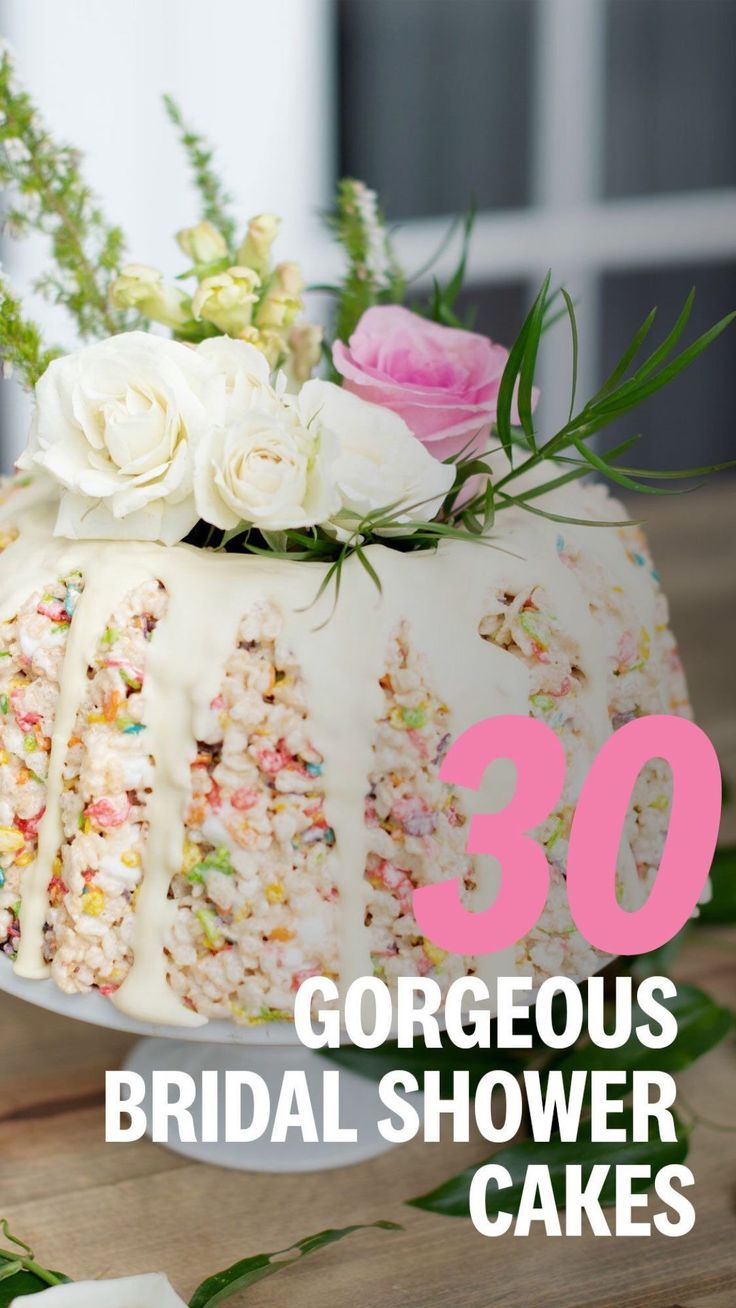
207 797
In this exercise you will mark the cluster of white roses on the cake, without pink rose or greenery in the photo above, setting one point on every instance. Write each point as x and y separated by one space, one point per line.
147 438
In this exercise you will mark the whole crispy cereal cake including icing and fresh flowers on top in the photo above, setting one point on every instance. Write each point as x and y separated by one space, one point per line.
258 575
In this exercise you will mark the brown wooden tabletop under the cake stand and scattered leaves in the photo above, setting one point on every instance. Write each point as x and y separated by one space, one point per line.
100 1209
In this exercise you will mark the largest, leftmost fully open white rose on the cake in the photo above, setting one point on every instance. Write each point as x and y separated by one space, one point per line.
116 424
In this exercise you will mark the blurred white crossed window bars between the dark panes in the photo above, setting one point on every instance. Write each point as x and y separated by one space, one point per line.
572 227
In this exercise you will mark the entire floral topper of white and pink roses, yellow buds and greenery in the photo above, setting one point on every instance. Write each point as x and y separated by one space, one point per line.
219 435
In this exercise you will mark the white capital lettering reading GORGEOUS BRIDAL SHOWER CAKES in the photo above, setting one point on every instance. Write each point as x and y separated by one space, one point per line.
584 1106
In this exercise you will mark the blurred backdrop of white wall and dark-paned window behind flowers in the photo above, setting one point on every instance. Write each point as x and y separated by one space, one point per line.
597 137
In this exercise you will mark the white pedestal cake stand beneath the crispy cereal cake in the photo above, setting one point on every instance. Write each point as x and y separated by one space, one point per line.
269 1051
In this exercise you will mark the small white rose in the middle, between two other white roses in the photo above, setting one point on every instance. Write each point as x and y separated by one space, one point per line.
263 466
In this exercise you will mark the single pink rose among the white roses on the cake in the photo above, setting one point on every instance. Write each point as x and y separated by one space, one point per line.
443 381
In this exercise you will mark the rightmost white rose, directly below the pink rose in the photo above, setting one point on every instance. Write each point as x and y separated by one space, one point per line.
380 461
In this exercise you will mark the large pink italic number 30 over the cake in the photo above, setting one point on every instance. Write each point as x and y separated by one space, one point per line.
595 838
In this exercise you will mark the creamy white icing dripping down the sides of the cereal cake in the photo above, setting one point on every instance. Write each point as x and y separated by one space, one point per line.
441 596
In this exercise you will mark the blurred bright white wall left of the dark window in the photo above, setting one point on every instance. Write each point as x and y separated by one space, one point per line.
256 77
